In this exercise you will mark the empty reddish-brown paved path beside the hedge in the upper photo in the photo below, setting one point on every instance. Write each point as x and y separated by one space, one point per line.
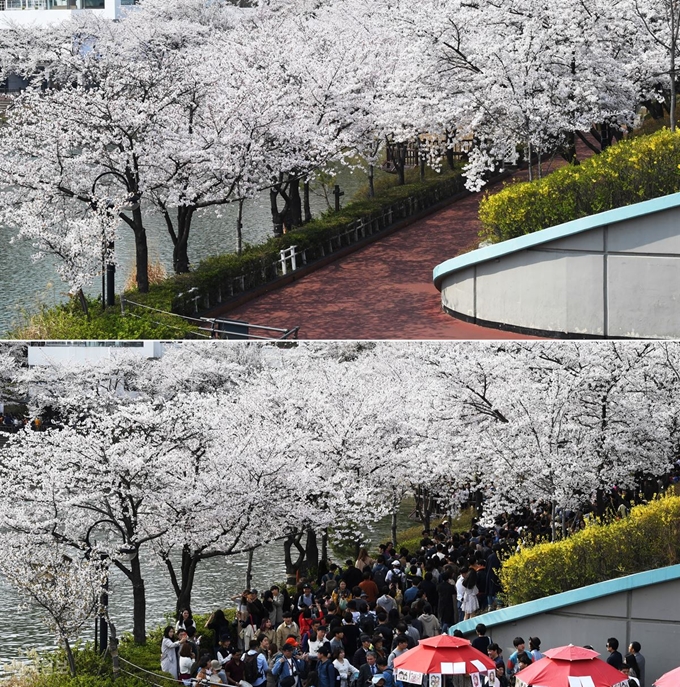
383 291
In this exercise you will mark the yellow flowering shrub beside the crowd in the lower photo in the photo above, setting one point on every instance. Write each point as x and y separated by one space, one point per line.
648 538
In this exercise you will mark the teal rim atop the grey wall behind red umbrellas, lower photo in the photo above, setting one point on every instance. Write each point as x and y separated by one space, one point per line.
574 596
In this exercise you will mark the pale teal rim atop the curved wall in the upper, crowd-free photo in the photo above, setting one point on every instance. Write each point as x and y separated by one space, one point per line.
576 226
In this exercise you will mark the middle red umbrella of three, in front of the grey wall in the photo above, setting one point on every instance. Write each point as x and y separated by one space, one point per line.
571 666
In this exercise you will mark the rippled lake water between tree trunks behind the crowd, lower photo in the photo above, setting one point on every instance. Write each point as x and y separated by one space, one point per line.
217 580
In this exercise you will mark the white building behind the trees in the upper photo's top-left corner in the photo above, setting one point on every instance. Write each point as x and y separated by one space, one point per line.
52 11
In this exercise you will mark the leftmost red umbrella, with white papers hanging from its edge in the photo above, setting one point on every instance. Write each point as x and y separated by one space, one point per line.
445 655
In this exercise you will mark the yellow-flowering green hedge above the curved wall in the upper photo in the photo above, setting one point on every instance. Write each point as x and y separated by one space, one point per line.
631 171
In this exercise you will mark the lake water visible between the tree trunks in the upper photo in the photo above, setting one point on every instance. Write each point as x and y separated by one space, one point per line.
25 285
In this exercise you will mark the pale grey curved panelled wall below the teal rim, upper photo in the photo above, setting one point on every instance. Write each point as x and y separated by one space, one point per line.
620 279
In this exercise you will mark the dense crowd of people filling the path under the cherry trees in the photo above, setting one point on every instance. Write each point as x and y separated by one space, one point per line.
345 627
